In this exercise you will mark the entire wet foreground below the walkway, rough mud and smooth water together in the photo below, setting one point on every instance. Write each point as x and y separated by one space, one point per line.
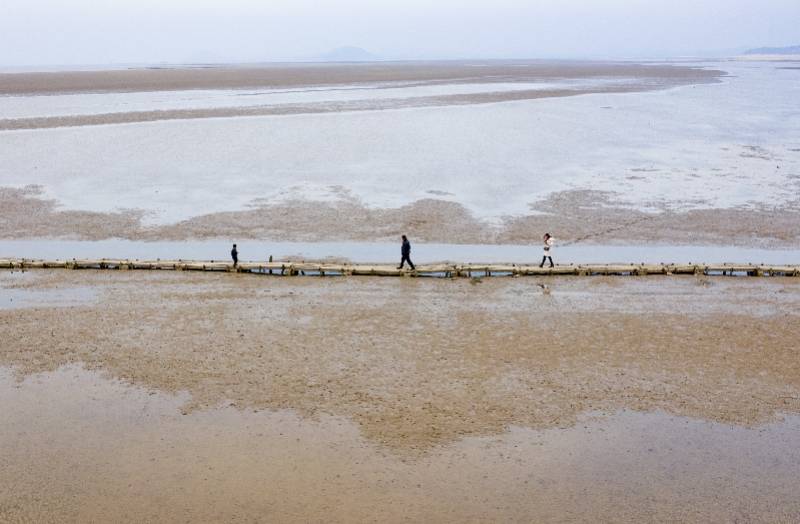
232 397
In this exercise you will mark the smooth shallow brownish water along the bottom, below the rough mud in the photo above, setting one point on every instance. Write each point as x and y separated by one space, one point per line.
96 449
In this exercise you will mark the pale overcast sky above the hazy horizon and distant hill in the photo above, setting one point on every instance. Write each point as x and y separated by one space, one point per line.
34 32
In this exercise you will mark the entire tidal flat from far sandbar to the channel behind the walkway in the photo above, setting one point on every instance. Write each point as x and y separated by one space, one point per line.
445 152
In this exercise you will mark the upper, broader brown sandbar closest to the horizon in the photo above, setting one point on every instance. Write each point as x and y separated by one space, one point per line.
304 75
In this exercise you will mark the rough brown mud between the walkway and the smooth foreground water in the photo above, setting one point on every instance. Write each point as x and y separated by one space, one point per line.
419 363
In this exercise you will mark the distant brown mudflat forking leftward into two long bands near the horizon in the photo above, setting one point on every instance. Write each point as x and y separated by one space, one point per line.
564 79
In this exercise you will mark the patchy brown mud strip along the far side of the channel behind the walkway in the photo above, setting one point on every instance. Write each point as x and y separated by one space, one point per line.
581 215
